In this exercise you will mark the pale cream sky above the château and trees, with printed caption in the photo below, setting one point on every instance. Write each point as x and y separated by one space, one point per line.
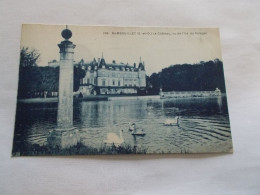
158 47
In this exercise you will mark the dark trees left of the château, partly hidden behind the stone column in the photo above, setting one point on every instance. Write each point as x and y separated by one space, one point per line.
35 81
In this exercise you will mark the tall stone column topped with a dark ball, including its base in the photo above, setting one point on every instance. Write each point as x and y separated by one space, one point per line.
65 135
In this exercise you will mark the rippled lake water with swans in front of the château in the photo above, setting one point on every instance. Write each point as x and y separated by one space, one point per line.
203 125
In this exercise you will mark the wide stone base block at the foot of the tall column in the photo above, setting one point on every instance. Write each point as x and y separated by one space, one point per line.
63 138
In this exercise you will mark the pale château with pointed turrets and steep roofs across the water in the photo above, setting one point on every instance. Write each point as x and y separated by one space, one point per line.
111 78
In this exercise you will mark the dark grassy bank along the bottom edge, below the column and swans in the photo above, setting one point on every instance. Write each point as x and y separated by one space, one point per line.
79 149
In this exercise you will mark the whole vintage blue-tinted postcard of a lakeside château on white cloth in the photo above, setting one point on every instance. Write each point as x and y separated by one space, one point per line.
86 90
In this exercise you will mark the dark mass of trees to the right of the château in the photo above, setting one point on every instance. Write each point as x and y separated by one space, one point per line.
203 76
